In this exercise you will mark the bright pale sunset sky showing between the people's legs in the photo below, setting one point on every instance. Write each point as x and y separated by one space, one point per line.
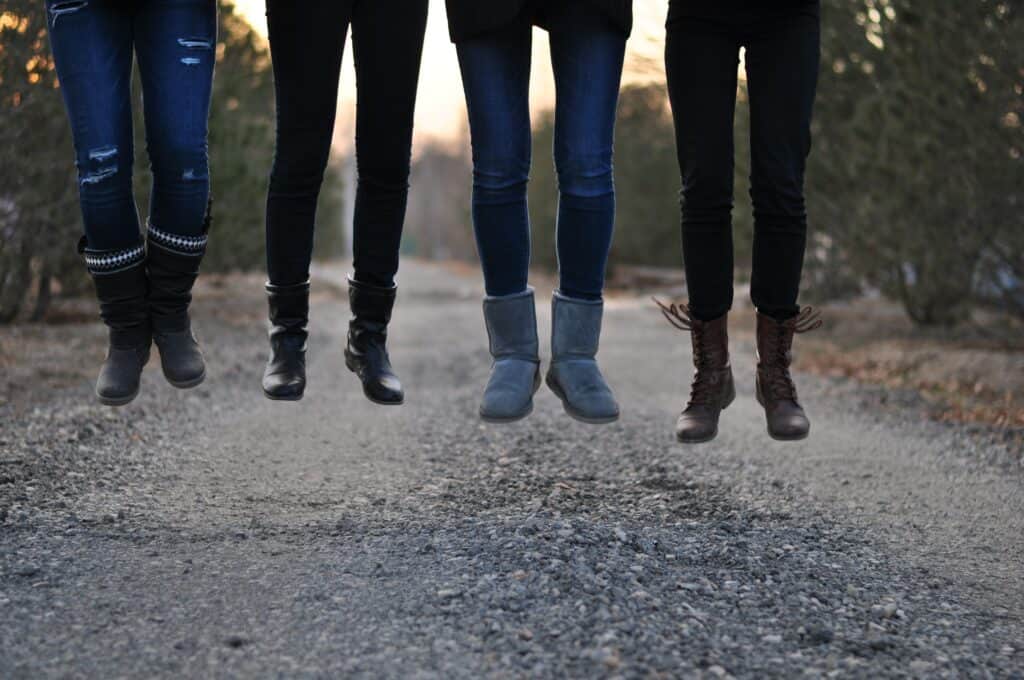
441 110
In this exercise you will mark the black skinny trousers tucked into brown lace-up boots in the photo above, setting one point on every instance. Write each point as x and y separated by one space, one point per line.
782 58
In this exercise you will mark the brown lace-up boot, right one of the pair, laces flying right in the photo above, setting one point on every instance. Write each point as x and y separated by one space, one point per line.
776 391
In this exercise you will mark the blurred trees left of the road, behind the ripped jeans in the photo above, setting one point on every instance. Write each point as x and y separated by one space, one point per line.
40 221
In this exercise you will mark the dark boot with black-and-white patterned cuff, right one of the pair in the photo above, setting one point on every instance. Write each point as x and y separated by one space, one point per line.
173 264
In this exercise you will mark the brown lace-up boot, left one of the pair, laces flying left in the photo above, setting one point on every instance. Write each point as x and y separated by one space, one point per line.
713 389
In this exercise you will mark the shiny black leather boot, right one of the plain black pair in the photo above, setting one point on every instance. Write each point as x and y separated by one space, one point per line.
366 355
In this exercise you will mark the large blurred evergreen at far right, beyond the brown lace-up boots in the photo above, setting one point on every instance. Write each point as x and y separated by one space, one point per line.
917 174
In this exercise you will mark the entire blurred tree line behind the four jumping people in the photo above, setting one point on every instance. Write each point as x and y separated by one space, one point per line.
915 184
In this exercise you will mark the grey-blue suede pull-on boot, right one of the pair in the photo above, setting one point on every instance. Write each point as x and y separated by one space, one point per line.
574 376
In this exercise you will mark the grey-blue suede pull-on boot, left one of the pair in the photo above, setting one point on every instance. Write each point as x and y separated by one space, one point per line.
516 374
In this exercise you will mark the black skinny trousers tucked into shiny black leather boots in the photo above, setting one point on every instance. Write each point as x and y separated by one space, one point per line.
307 45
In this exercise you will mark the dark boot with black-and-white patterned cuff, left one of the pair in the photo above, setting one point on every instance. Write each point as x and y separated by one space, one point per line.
121 286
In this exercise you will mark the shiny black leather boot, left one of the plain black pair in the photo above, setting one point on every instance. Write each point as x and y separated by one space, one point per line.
285 377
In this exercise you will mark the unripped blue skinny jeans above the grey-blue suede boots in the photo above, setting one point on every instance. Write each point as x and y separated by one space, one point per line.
587 58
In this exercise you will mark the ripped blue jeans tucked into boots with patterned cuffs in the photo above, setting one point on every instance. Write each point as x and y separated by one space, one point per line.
94 42
